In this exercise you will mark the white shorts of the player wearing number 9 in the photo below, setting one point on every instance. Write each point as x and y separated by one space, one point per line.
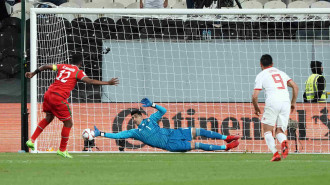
277 113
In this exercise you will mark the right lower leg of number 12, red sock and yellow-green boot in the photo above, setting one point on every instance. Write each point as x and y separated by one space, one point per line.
62 151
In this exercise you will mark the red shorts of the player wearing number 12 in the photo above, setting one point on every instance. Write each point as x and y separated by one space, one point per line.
56 105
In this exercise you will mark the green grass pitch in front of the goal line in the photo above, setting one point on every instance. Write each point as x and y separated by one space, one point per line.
159 169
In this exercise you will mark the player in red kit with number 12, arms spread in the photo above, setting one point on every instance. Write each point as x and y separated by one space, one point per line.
55 99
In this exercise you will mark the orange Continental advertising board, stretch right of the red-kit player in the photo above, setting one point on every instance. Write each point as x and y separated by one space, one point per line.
308 130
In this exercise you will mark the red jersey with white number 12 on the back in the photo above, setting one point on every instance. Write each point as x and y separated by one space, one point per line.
66 79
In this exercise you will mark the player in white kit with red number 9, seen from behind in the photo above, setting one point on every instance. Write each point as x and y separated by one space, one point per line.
277 105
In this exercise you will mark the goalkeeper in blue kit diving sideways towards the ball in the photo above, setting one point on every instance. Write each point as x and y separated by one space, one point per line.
174 140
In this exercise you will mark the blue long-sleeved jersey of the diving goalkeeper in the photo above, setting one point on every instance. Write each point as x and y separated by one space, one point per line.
148 131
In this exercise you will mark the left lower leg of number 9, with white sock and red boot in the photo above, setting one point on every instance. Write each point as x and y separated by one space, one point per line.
268 134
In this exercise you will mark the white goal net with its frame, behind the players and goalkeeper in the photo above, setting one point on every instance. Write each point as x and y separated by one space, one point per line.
198 64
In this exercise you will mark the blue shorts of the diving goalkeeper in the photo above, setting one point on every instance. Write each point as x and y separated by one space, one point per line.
179 140
